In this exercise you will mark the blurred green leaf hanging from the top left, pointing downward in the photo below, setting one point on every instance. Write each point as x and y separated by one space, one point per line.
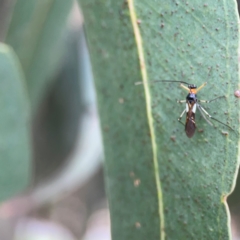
36 33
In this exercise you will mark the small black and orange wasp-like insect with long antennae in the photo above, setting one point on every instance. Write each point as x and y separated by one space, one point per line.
192 104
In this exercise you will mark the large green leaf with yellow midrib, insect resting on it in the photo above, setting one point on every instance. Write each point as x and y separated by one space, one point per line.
162 184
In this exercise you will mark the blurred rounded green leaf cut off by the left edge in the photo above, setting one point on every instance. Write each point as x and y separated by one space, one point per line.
15 149
